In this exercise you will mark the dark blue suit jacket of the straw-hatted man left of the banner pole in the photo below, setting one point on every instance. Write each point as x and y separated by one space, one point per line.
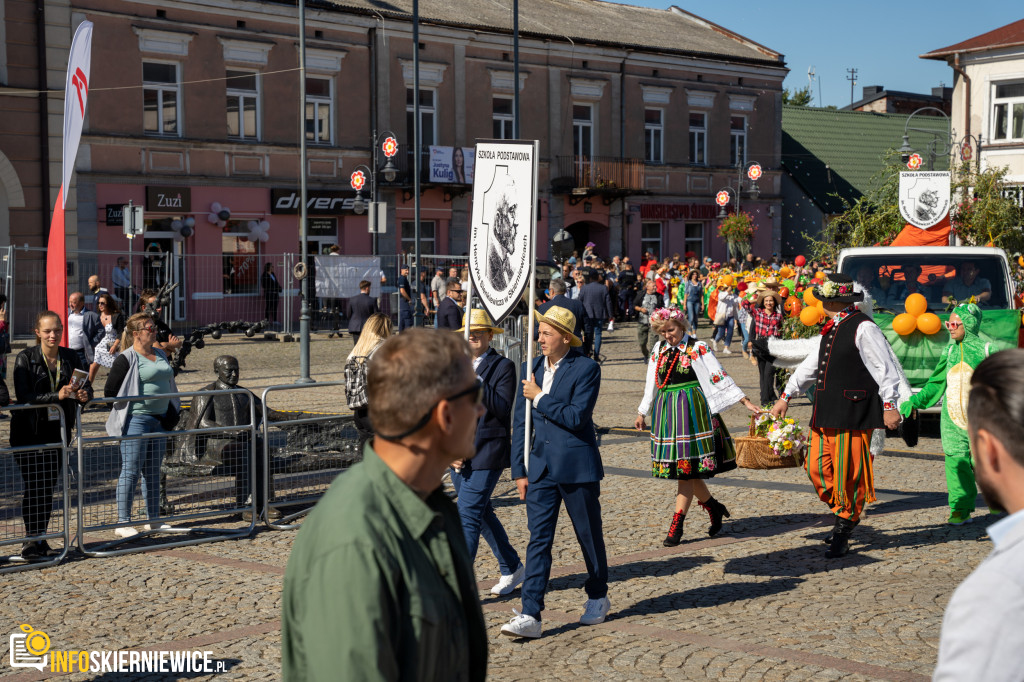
495 429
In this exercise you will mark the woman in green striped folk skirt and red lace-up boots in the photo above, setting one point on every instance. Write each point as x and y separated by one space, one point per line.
686 392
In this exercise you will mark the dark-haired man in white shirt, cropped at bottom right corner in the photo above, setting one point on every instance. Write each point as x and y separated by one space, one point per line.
984 627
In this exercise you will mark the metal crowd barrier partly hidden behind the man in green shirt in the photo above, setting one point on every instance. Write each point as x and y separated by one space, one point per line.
304 455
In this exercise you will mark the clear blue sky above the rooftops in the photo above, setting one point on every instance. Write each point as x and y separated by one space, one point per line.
881 39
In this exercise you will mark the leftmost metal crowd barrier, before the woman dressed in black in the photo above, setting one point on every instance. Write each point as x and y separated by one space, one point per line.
18 464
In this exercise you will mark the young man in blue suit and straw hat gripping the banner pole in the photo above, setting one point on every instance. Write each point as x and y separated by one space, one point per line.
565 466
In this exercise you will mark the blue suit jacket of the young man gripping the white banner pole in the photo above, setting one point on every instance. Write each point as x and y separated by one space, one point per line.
565 440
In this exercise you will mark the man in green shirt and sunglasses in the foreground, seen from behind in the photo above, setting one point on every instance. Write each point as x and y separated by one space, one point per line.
380 585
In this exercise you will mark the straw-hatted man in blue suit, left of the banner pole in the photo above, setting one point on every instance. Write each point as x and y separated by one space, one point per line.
475 480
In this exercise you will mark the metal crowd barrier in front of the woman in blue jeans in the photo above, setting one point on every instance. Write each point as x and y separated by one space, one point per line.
195 483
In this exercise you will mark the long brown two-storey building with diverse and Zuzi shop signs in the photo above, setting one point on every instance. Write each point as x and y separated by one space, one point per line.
643 116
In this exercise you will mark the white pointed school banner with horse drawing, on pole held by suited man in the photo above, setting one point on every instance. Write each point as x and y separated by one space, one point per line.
501 247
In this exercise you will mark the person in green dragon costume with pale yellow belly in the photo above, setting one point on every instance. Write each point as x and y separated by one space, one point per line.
953 378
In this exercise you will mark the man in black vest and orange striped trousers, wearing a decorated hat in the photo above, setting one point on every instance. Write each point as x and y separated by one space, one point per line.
858 390
